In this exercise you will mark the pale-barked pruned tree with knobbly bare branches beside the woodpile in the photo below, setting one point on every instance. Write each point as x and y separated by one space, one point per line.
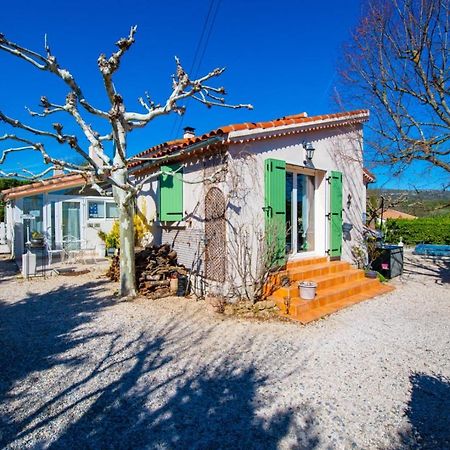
99 168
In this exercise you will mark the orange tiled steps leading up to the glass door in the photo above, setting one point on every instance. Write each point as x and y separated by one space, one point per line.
339 285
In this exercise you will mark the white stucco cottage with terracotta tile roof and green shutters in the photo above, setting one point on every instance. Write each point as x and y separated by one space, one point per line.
294 186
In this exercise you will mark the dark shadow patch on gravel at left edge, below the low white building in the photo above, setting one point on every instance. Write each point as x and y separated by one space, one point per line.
36 332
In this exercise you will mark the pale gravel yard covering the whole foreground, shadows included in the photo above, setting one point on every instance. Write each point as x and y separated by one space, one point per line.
81 370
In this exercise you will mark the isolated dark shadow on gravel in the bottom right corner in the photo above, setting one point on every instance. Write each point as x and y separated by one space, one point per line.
428 413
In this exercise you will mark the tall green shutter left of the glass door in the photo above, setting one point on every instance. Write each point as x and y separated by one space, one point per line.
275 208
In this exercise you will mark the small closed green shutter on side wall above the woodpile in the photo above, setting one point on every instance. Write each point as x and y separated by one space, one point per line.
171 193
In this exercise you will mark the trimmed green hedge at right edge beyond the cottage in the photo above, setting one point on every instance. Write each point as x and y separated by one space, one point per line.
427 230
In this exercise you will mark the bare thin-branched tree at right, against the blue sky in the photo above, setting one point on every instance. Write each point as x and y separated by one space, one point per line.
397 65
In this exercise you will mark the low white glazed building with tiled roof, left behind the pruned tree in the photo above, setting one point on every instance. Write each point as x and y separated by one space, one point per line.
56 208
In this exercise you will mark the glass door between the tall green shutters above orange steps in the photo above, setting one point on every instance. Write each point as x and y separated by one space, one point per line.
299 212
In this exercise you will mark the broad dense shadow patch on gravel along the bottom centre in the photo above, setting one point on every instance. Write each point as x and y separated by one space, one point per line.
212 411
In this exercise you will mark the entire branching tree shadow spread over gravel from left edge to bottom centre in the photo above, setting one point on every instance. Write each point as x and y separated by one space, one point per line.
126 389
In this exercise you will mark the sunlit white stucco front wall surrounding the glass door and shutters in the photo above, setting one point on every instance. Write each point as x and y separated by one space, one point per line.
335 150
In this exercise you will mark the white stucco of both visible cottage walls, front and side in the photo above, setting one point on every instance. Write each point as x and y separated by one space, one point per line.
243 186
